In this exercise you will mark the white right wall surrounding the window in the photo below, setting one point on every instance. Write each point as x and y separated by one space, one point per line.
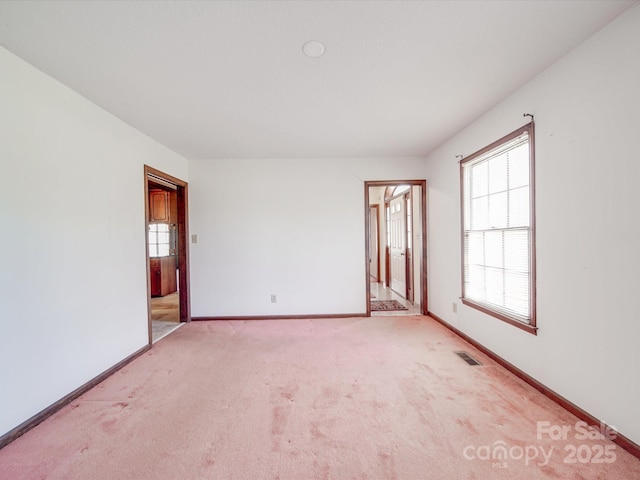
587 122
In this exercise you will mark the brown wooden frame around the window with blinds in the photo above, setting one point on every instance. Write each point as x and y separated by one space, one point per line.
530 327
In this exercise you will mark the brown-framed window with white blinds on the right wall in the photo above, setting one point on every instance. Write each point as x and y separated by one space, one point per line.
498 229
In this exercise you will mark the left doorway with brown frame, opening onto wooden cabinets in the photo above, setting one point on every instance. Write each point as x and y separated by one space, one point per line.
166 221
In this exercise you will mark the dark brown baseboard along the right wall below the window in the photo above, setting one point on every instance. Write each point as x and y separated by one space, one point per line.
624 442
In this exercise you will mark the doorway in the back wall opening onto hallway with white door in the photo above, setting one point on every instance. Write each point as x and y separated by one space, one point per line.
401 248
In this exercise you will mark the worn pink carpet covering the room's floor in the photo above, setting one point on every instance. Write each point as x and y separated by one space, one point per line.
362 398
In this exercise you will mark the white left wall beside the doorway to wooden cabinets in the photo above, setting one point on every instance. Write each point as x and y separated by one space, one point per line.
72 273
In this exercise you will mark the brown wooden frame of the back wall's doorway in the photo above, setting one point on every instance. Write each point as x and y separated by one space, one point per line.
424 303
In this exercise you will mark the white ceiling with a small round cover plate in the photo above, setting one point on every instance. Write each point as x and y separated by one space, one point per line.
223 79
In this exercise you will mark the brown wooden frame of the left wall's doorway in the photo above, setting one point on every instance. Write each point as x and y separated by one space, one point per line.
182 196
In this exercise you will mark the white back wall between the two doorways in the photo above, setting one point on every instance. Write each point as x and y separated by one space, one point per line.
289 227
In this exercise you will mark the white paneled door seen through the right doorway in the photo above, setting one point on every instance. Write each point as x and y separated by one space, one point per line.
398 245
